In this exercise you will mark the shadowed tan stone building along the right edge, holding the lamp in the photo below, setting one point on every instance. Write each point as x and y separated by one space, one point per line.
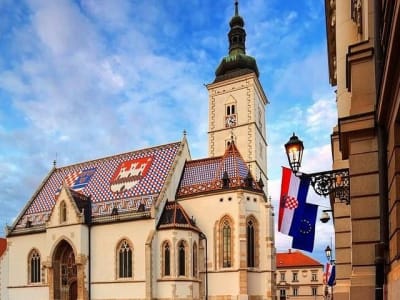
363 44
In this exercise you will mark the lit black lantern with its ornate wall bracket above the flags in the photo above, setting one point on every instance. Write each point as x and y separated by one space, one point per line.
336 182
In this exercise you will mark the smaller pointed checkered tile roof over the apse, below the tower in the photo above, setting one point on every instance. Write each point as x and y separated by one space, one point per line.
207 175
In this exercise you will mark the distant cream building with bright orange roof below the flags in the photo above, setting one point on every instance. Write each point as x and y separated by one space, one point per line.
298 276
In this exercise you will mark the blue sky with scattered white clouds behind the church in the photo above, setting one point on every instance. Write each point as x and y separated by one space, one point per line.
80 80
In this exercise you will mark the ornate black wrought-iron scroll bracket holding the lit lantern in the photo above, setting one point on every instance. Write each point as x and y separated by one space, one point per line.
336 182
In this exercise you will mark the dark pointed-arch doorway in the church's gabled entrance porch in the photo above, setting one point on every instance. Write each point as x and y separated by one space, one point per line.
65 272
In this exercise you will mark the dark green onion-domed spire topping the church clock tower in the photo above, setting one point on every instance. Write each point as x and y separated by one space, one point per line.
237 62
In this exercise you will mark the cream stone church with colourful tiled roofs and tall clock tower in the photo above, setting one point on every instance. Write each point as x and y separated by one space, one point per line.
154 223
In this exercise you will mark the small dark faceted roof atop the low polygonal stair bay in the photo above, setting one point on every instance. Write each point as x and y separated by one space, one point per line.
175 217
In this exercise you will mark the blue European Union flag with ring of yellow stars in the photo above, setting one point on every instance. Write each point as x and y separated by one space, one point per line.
303 236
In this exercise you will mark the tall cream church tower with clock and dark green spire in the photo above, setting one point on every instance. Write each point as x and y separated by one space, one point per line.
237 104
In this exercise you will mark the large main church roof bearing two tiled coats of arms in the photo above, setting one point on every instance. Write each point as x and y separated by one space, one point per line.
124 181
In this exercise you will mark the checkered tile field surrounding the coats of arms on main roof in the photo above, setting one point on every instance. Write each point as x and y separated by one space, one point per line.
99 185
